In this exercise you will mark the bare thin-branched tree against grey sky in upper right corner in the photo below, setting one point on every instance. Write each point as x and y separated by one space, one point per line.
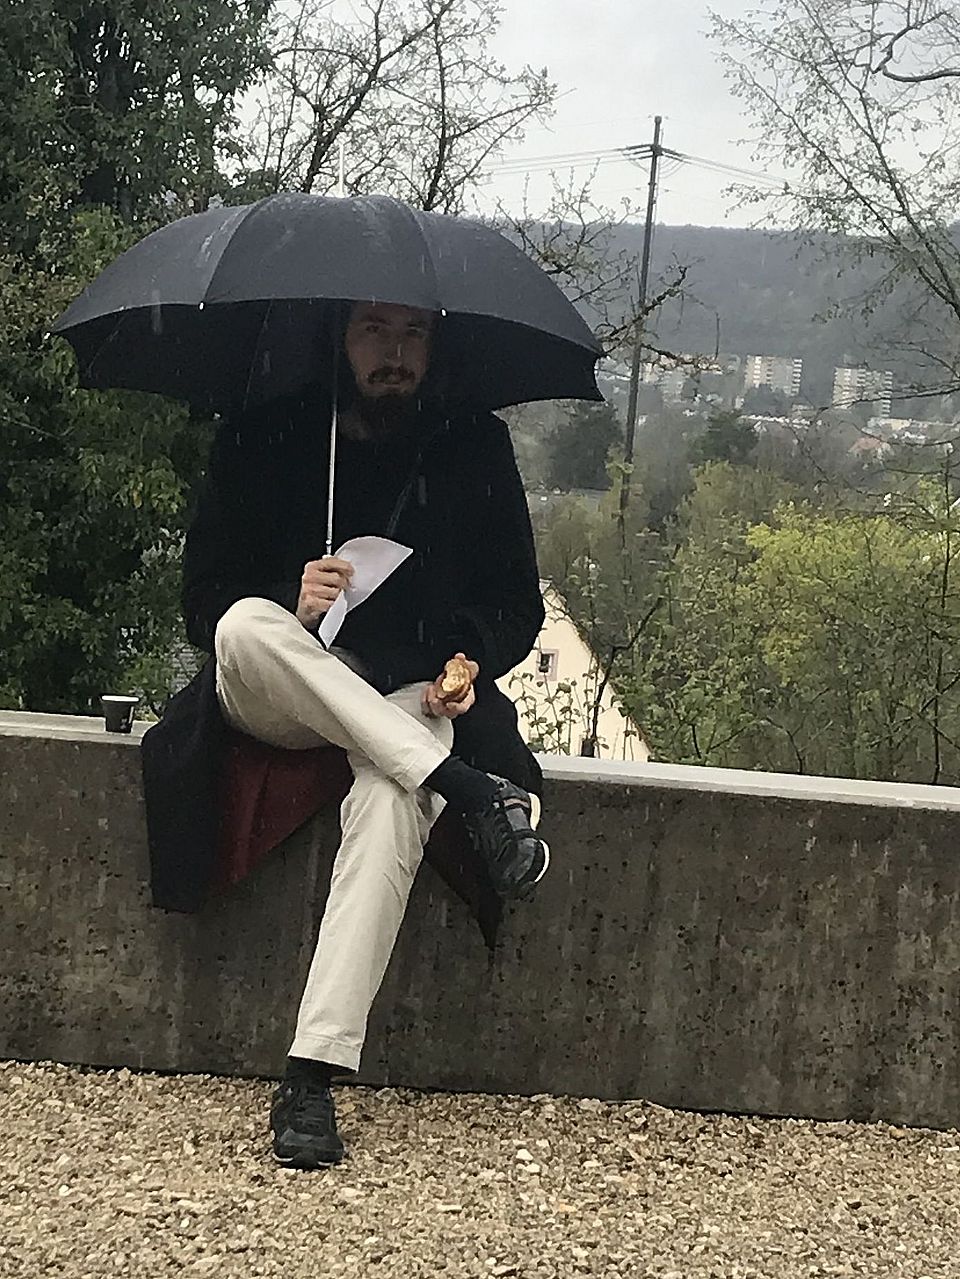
861 102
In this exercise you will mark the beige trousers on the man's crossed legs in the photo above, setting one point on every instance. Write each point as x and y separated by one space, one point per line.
277 684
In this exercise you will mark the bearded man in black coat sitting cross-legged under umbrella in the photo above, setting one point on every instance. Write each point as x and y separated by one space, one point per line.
255 594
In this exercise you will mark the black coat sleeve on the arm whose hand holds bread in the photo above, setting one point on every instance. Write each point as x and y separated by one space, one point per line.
504 612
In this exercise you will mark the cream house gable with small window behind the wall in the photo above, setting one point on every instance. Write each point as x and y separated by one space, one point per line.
555 691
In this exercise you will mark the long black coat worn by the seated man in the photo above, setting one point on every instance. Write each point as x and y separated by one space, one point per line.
452 492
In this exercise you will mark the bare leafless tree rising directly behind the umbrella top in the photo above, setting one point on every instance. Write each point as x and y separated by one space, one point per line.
408 88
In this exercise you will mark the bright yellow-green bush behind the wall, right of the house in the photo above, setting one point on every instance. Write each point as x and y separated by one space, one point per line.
851 636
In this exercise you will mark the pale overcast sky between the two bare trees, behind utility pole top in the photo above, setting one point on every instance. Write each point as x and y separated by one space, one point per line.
619 63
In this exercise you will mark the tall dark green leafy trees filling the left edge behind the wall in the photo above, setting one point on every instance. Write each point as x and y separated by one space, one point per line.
113 120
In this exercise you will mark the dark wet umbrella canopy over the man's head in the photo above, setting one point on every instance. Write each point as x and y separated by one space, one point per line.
236 306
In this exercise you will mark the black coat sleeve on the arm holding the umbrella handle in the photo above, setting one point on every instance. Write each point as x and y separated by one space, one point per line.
231 545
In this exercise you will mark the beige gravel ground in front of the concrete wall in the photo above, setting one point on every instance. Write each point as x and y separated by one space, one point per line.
114 1175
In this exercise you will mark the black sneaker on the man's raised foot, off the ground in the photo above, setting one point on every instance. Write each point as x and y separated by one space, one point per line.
504 836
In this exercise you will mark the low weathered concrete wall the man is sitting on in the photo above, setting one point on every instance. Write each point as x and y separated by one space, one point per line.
793 951
